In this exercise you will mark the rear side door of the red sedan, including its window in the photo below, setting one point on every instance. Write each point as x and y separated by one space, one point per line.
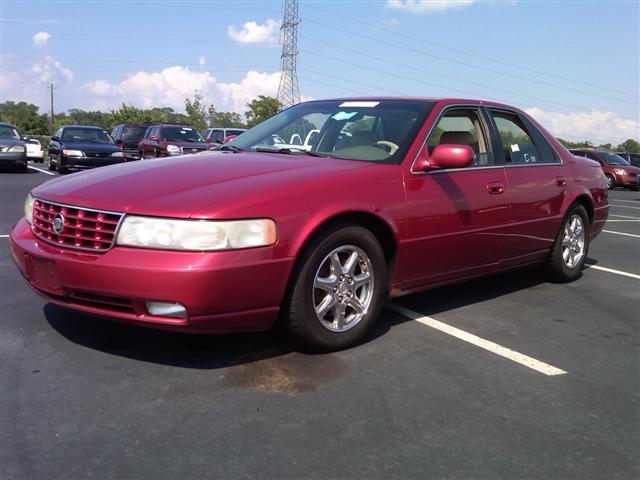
537 184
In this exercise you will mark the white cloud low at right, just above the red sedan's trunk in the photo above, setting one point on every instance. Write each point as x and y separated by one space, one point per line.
597 126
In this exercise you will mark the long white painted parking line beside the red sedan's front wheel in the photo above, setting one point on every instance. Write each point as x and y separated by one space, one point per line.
505 352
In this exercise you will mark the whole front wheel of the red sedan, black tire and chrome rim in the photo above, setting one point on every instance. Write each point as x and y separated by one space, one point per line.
337 290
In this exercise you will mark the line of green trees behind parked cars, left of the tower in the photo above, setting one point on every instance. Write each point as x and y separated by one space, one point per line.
198 114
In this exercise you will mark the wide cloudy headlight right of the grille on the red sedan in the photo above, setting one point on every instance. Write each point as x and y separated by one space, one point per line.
198 235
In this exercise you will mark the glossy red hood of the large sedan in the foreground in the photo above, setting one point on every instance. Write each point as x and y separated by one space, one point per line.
204 185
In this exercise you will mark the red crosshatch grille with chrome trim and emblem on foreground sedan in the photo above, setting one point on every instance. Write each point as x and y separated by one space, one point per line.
83 229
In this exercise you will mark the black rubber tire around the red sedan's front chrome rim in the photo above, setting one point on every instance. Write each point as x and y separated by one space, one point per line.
300 317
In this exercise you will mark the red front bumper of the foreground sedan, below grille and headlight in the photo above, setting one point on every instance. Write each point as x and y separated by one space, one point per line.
222 291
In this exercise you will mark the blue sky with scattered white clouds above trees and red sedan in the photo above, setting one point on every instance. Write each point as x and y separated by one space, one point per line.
572 64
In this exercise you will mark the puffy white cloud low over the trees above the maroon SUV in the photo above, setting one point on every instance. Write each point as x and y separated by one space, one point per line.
167 87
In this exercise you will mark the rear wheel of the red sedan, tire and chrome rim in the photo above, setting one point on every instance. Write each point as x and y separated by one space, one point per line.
570 248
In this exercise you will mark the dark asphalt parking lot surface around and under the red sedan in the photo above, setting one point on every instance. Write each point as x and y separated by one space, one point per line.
505 377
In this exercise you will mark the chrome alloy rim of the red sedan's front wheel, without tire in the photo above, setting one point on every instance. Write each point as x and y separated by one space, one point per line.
343 288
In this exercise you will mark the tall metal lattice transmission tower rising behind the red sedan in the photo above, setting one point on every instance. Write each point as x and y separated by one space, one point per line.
288 91
